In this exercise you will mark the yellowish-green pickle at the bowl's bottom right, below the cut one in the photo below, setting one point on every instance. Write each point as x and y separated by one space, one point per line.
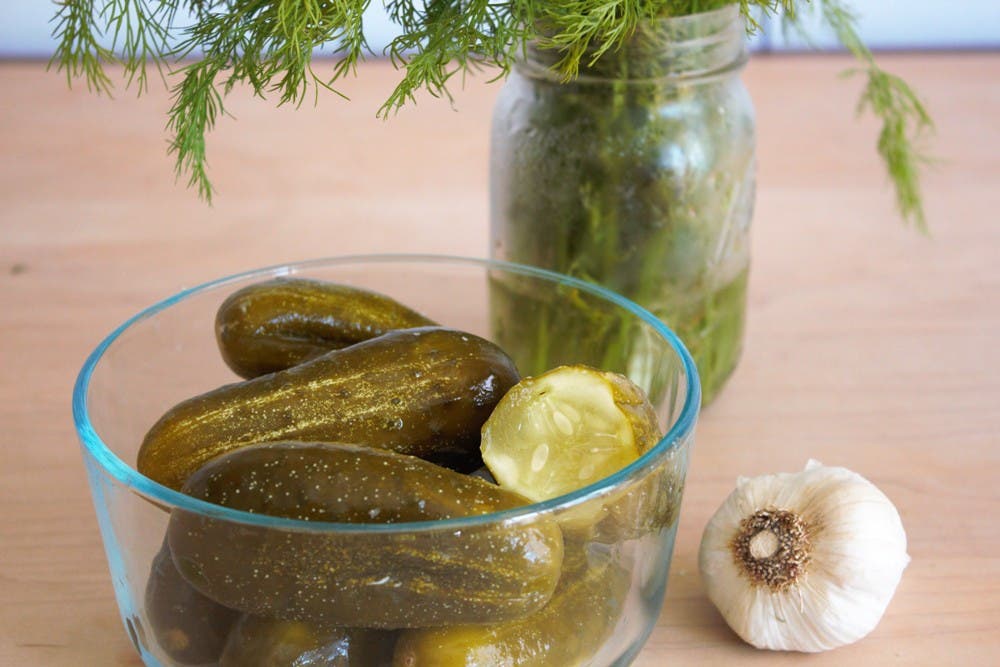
567 632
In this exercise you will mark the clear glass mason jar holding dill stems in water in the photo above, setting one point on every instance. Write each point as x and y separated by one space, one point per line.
637 175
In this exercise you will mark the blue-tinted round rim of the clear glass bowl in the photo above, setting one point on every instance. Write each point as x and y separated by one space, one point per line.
169 498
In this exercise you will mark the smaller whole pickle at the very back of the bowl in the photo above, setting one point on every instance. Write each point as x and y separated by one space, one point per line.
280 323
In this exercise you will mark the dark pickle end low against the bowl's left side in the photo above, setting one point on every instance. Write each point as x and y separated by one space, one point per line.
189 627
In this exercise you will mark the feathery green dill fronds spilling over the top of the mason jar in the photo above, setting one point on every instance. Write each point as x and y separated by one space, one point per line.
269 45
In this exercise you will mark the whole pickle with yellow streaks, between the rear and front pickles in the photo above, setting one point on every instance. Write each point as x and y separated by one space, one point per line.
424 392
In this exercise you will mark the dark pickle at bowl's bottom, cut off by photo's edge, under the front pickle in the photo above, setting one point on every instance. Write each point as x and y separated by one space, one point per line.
263 642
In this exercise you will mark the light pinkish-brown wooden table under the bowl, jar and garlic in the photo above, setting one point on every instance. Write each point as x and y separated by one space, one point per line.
869 346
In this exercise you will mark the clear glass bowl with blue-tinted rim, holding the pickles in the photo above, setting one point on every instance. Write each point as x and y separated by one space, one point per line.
617 534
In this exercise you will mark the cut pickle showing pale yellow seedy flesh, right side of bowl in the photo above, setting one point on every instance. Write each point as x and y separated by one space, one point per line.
572 426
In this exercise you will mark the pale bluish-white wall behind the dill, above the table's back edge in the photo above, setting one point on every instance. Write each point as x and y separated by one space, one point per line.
25 30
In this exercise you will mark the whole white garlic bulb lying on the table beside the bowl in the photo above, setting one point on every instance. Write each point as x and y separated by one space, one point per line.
803 561
